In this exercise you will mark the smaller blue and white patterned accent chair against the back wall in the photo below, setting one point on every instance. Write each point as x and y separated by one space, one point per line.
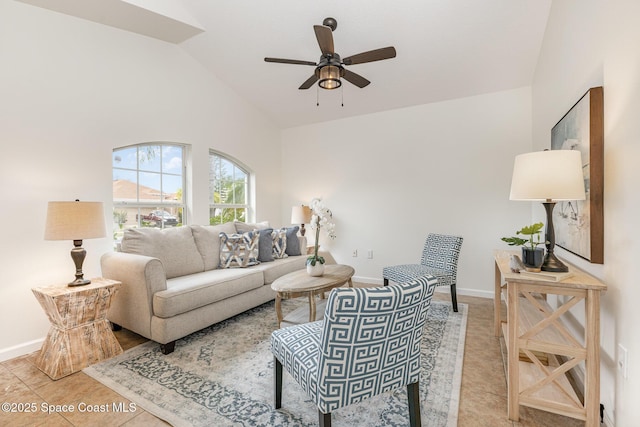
439 260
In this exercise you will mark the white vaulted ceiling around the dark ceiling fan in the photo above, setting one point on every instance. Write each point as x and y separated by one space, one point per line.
446 49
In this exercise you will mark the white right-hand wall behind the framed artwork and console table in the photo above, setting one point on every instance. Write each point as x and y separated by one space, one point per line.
594 43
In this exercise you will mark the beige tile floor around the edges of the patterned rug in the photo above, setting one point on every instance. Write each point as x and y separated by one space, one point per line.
483 399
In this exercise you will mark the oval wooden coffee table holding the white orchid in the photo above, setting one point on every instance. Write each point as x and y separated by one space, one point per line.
300 284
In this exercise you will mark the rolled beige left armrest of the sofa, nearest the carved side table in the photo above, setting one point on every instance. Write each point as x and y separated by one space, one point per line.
141 277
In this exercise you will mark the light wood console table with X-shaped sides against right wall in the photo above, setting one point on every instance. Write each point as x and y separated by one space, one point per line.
534 332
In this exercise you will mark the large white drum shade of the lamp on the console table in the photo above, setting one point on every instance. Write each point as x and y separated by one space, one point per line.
552 175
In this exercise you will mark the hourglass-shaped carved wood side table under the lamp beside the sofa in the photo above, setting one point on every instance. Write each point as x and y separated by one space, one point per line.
80 333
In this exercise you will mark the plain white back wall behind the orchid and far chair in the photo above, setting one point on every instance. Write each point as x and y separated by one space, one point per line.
390 178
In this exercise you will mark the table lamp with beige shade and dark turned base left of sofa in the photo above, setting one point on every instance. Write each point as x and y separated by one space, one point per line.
75 221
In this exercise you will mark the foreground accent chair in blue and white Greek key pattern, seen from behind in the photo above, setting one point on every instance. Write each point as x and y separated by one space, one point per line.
367 344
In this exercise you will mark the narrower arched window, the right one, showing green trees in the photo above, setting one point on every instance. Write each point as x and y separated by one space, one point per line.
228 190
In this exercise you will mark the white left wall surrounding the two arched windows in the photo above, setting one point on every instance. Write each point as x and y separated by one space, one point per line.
71 91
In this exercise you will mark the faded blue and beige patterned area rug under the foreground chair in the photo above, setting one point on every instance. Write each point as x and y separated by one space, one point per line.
223 376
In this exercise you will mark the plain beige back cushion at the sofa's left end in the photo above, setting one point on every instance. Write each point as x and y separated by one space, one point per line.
174 247
